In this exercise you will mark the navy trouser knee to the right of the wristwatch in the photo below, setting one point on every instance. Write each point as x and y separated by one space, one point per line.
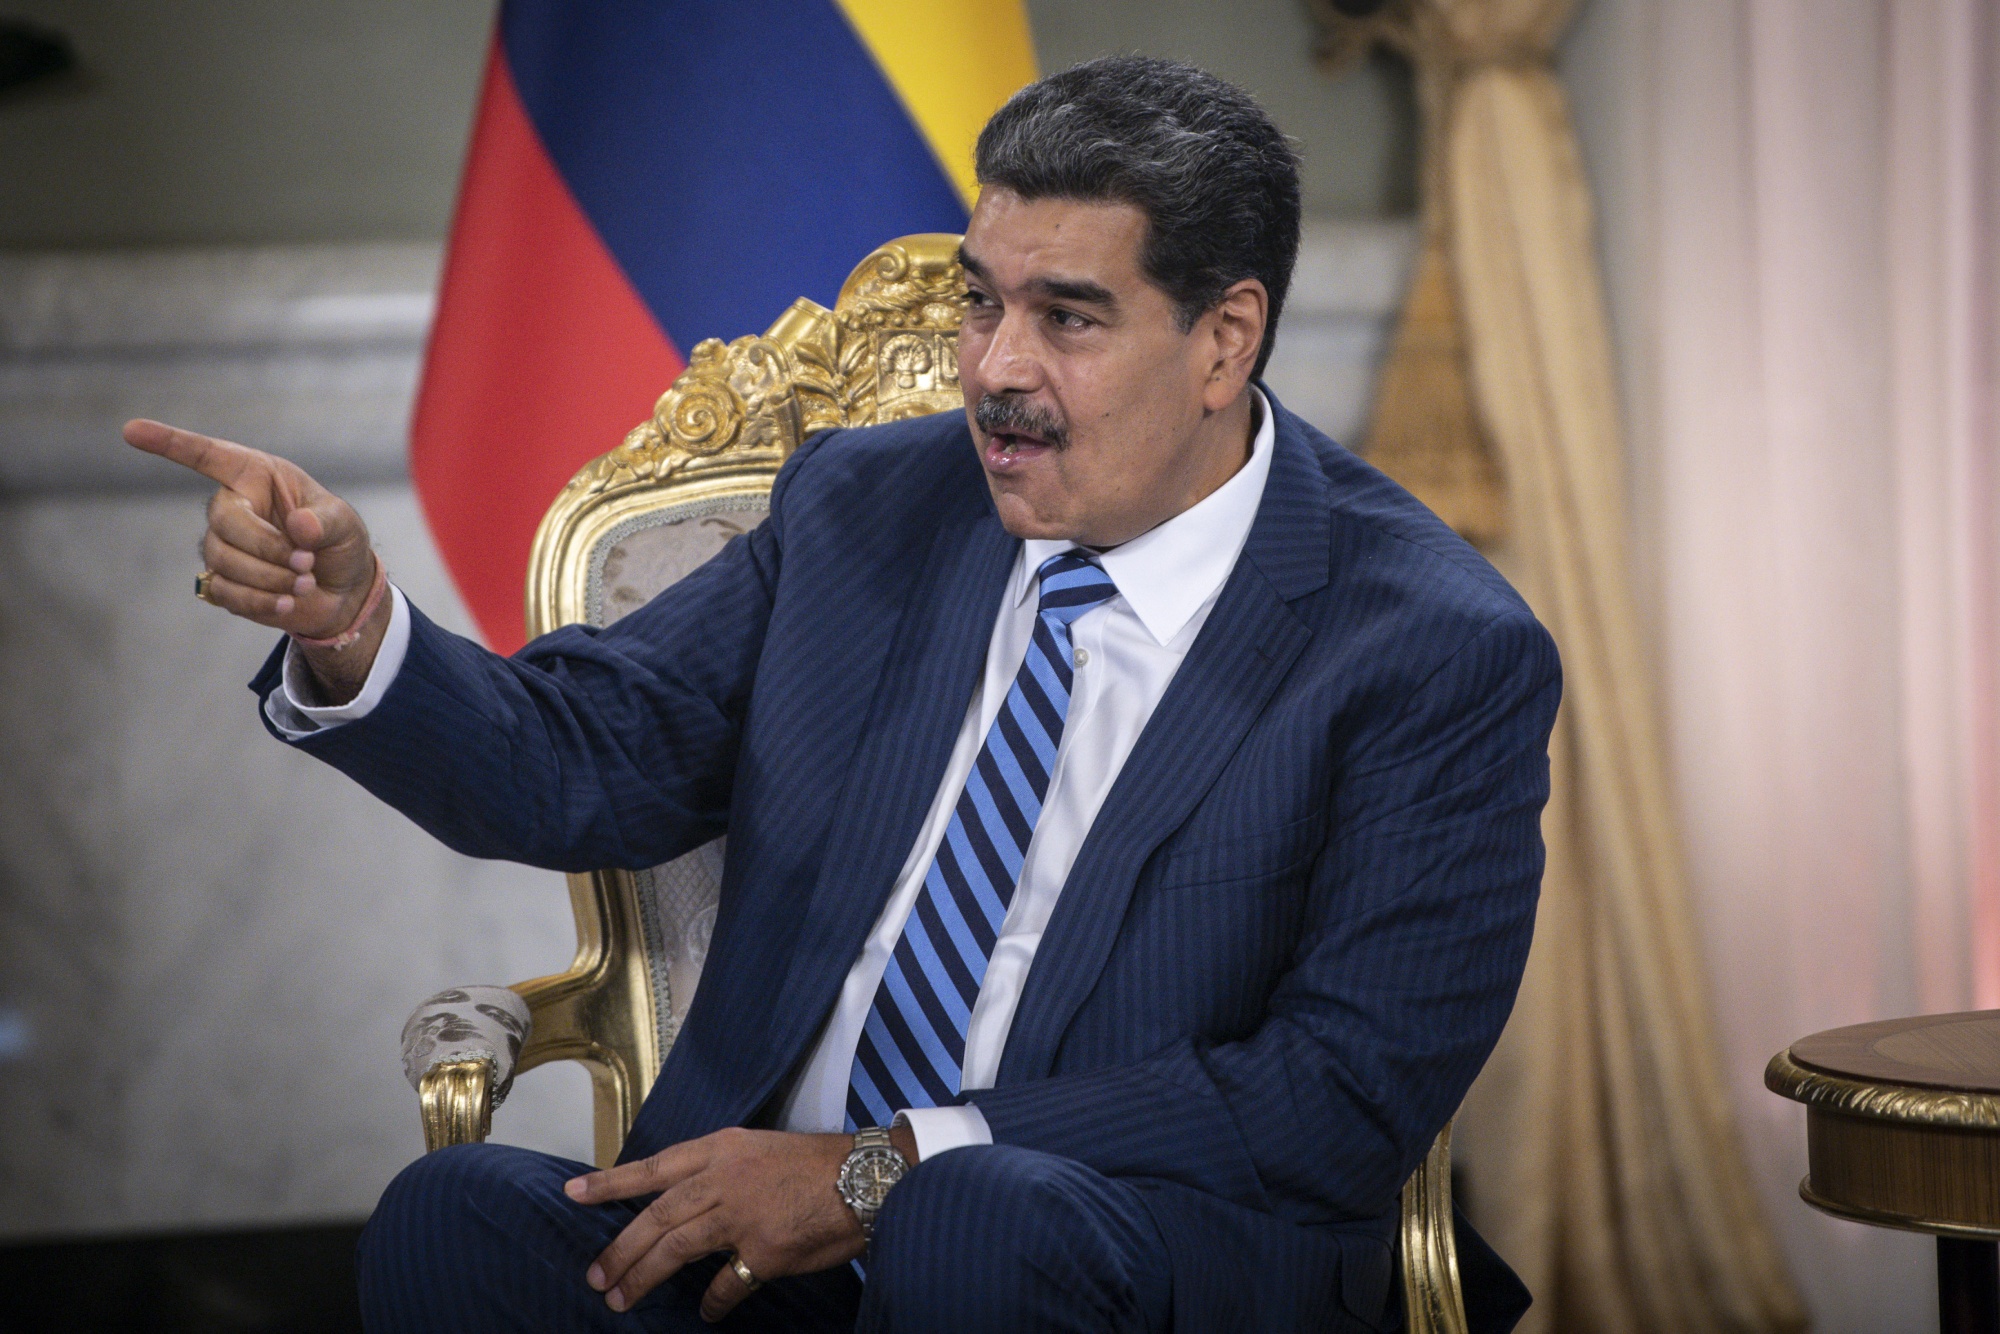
1005 1239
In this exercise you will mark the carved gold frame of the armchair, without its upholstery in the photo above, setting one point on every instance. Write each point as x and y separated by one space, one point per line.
887 351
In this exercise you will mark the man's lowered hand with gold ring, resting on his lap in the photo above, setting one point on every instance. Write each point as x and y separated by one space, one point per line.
763 1195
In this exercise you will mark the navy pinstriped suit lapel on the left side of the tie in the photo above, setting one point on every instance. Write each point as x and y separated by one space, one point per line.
919 707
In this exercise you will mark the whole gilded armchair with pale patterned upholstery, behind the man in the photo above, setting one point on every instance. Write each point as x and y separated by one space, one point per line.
627 527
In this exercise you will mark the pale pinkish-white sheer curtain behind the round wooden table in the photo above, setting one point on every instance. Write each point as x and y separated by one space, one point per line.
1805 197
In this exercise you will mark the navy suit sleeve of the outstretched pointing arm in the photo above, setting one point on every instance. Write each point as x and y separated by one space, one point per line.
589 747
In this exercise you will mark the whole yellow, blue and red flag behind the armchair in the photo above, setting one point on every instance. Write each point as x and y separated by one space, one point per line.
653 173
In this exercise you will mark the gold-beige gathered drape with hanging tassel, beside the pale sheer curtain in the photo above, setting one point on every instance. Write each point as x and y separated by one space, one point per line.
1601 1141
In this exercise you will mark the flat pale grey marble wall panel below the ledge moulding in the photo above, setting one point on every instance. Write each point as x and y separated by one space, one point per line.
211 941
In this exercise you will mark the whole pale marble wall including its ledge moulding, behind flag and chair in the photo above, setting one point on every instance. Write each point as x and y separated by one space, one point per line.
207 941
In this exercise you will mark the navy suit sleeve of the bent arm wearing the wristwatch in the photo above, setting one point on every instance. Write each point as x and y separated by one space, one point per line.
1419 919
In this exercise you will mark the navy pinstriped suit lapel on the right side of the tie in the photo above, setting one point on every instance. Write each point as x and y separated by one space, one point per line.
1237 663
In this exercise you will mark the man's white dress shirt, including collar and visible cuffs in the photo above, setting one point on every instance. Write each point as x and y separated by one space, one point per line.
1127 655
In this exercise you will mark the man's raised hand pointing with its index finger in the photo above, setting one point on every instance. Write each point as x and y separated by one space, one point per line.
283 551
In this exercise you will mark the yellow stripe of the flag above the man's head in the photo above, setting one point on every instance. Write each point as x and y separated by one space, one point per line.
953 63
